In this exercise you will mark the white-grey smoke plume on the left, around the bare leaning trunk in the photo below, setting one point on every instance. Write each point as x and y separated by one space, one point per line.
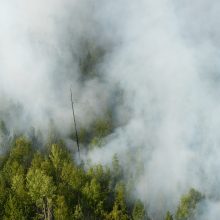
41 46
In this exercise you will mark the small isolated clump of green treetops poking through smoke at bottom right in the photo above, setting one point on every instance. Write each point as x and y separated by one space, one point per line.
188 204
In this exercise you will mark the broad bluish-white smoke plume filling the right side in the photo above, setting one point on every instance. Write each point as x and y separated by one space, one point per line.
167 64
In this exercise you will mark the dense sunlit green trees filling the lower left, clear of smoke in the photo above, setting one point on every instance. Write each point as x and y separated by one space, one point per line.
51 185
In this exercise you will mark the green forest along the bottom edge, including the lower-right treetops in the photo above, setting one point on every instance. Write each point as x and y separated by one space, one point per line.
48 183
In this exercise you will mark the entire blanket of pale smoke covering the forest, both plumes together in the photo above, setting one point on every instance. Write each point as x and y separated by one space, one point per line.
164 57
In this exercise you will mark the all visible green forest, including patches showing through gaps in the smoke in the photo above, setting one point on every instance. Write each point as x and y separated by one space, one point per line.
44 179
